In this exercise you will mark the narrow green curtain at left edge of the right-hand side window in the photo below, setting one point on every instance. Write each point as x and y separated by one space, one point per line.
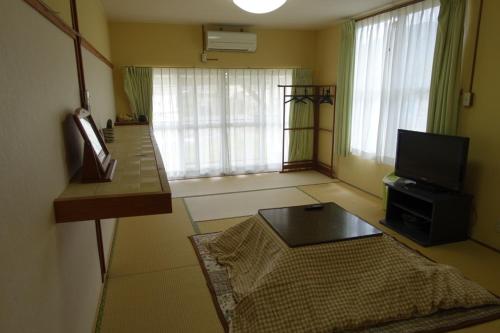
345 83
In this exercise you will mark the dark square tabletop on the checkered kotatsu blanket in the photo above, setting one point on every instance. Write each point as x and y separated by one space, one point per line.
316 224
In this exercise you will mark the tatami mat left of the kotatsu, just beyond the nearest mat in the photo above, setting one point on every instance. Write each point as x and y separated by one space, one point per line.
153 243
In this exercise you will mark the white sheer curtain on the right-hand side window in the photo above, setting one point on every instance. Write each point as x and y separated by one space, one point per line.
393 66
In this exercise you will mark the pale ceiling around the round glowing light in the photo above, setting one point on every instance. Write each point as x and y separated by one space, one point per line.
300 14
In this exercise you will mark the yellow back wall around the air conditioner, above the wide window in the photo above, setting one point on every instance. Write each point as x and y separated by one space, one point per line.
146 44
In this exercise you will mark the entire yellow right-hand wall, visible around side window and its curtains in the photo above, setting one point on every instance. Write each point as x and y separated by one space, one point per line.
480 123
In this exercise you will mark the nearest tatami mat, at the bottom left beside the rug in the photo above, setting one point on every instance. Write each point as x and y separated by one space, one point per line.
174 301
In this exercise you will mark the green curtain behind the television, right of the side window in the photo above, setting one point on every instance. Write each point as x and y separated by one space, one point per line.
444 99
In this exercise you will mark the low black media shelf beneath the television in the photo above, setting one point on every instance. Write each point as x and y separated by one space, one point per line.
427 217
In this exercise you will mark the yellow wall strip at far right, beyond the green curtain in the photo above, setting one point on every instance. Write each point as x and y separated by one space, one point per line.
482 124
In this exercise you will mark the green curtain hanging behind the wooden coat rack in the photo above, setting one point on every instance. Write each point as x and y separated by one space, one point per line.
300 146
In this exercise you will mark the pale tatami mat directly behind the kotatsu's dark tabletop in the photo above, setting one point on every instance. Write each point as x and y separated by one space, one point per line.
214 207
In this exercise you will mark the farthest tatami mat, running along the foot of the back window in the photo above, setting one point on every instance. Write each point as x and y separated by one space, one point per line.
263 181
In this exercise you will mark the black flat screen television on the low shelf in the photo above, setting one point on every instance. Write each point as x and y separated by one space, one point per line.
432 159
